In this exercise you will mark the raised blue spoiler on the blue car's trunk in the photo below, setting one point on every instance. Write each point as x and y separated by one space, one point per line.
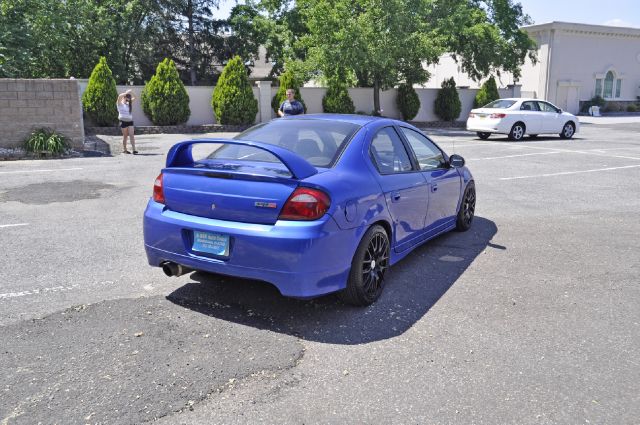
180 155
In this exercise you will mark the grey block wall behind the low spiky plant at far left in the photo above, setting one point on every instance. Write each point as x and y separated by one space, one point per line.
26 105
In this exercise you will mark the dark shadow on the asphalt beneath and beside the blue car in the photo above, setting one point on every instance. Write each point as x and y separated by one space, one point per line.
413 286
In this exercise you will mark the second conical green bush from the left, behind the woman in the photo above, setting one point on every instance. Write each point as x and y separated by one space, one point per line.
164 99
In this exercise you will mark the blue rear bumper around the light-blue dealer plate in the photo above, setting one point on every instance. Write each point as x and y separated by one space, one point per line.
302 259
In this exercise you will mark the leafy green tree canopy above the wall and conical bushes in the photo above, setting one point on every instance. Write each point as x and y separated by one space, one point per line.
368 43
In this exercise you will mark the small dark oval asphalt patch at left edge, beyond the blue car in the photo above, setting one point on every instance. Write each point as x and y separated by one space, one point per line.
62 191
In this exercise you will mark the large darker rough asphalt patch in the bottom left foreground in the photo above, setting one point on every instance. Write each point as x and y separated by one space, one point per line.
128 361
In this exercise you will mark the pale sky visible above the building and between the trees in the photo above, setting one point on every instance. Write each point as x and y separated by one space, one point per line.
624 13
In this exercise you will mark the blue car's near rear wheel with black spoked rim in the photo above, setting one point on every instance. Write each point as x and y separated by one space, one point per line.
368 267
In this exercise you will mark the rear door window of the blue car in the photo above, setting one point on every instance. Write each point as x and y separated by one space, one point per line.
388 153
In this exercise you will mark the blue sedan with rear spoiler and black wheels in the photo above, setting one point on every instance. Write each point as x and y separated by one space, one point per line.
312 204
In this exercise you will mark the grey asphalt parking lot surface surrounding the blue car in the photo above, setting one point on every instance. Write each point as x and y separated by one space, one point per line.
531 317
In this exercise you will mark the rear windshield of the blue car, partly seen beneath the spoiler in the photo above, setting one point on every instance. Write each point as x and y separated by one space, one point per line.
317 141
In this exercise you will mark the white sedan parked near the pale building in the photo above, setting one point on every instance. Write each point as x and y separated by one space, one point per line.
519 116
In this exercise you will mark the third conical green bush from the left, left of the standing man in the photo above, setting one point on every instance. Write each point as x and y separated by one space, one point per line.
233 101
